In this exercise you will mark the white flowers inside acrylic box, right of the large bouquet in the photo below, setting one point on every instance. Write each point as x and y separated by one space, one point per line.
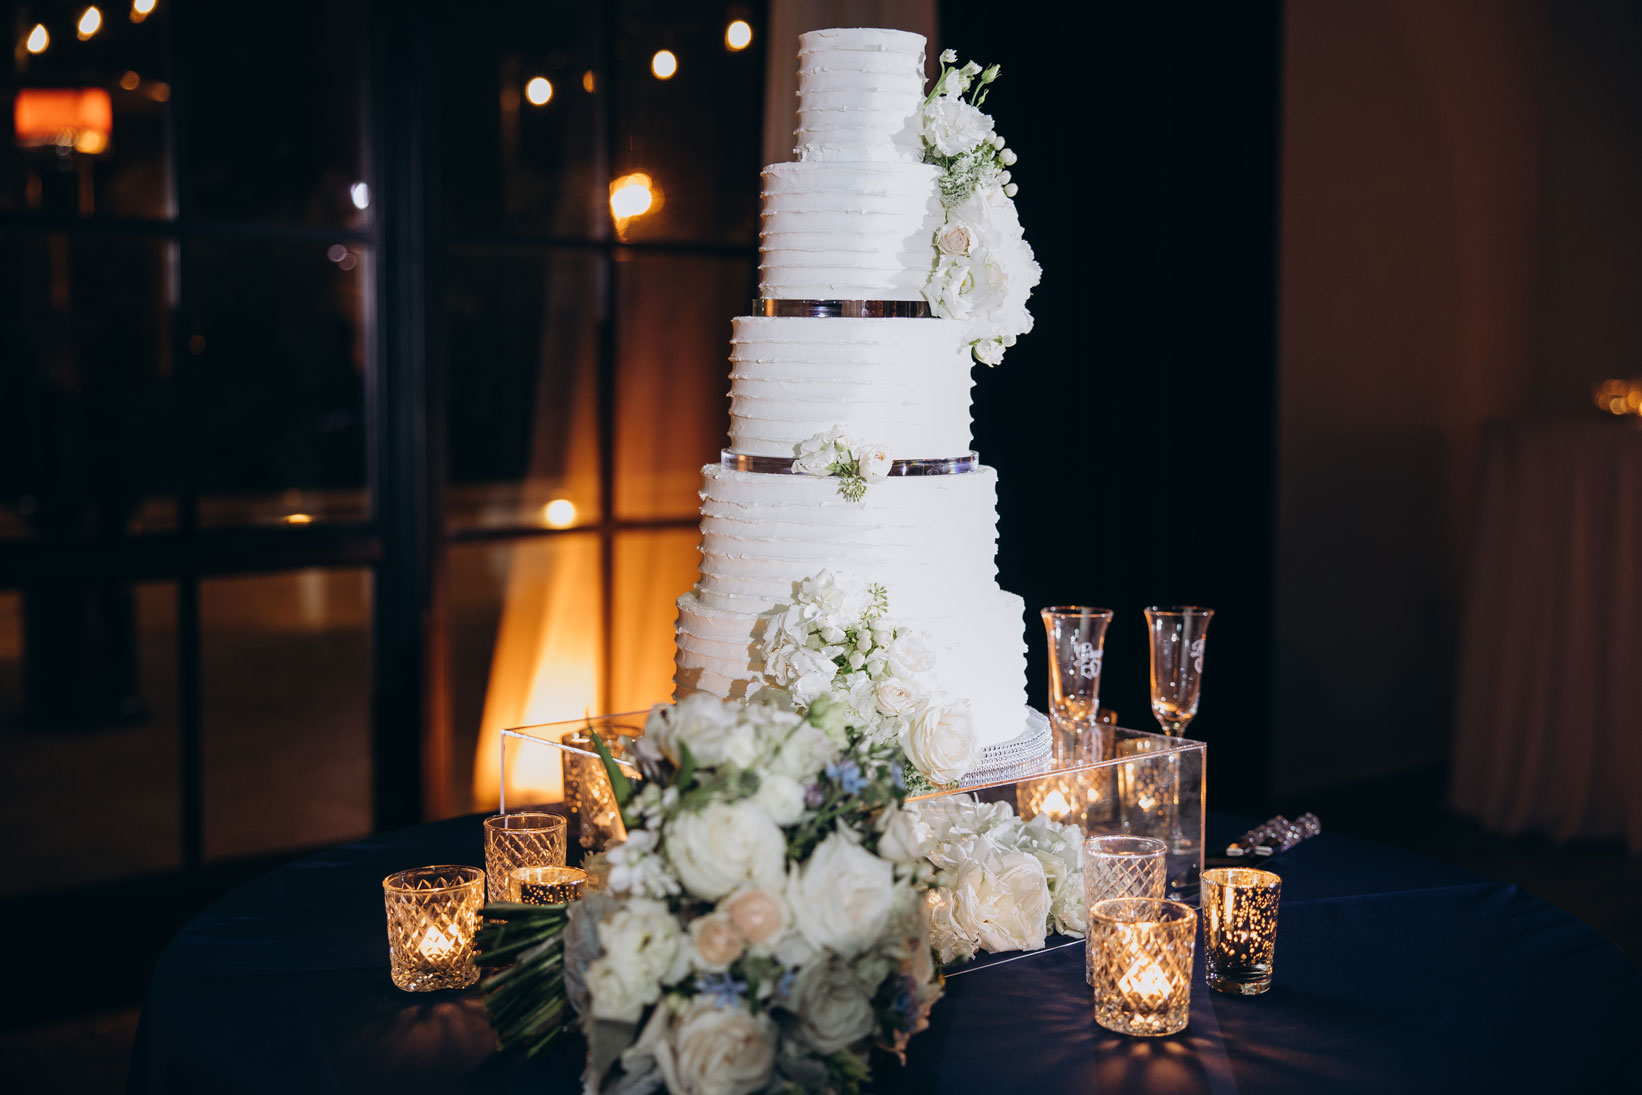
1004 884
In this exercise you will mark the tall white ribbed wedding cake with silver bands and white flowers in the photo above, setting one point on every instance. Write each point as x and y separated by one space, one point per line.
850 442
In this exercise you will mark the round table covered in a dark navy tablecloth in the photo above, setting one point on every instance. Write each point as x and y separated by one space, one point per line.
1395 974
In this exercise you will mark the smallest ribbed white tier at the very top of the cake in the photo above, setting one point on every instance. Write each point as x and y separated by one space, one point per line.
860 93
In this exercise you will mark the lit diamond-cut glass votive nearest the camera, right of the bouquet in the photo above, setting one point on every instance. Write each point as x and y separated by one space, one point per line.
1144 964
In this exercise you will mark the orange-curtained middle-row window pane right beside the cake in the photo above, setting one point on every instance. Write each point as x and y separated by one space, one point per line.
672 413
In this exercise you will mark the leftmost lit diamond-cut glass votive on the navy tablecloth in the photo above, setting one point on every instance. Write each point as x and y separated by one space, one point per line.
433 914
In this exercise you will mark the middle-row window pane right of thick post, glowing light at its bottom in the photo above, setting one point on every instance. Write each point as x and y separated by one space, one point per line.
523 392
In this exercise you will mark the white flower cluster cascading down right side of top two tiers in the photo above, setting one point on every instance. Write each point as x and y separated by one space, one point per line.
984 270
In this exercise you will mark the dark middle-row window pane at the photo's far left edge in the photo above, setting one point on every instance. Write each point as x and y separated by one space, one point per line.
89 442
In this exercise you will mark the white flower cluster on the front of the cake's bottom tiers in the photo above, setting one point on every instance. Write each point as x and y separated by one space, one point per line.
837 643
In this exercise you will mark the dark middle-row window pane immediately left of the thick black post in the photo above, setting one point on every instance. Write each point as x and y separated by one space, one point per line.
278 344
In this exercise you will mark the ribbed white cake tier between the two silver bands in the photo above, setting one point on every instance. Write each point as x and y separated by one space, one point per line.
896 383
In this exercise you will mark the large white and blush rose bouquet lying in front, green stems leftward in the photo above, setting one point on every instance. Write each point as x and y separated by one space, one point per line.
761 930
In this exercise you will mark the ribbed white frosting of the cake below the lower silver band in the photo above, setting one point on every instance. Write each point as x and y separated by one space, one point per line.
929 541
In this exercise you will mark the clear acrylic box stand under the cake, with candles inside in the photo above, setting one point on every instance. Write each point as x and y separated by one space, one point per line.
1106 779
